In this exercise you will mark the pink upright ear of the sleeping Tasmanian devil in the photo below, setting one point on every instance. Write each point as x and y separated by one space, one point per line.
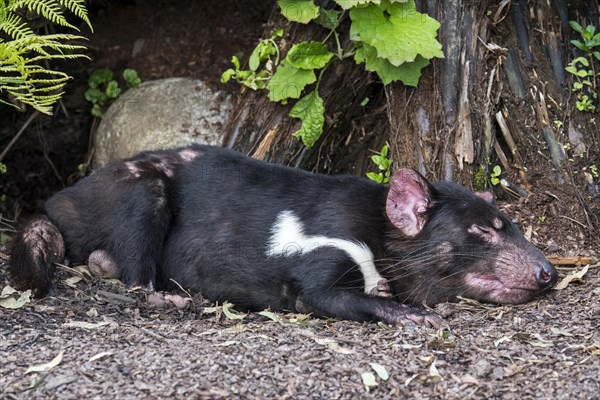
408 199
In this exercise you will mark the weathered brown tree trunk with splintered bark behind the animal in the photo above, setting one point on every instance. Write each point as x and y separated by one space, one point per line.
493 100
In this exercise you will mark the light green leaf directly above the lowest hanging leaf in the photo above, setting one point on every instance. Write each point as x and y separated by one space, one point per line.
288 82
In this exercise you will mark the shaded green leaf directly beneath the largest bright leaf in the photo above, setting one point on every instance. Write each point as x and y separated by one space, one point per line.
407 73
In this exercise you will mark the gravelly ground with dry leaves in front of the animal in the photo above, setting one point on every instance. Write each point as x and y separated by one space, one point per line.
95 339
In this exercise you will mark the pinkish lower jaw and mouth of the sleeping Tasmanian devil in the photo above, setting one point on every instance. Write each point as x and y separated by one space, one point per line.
491 289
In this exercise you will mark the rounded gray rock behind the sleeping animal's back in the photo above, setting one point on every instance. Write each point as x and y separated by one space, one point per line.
161 114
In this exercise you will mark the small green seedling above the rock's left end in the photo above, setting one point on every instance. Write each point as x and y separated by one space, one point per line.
103 89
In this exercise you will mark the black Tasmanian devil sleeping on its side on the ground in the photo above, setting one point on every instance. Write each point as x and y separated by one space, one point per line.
261 235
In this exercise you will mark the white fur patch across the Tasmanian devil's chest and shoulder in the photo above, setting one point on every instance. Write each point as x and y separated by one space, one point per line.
288 238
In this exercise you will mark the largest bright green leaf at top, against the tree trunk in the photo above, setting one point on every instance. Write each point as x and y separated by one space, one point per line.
397 31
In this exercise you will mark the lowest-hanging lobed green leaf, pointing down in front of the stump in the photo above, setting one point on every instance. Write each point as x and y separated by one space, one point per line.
311 111
